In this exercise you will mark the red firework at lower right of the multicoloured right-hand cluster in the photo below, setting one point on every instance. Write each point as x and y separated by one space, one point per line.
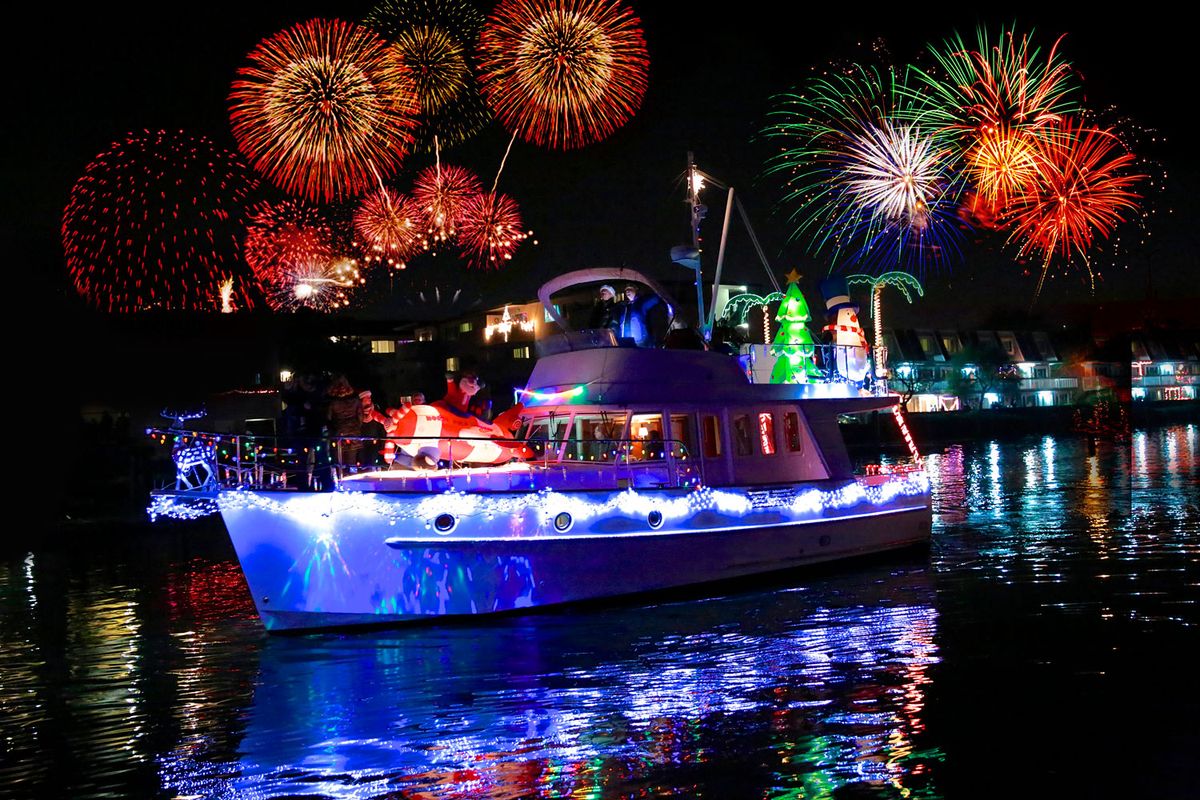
1082 193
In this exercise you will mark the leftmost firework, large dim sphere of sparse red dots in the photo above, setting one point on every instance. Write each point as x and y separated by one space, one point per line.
151 225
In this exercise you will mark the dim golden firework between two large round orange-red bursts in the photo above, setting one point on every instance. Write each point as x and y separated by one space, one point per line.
434 39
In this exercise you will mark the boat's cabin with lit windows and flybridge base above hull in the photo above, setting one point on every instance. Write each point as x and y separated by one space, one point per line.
595 404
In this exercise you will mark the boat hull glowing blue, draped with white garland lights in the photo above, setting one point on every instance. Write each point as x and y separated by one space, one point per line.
341 560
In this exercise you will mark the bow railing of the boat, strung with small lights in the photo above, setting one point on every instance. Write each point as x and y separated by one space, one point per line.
207 462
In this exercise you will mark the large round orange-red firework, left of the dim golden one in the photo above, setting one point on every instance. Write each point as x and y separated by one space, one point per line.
325 110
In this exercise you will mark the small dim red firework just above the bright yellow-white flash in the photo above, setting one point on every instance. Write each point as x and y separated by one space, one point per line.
285 237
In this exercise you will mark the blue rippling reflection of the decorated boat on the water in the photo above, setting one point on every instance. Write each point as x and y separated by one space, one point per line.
535 708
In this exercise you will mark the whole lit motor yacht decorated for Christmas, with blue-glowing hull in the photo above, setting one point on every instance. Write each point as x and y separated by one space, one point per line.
649 470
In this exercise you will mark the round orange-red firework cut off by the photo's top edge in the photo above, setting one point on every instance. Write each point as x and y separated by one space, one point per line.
563 74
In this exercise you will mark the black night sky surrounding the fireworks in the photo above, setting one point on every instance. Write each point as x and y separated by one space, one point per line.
89 77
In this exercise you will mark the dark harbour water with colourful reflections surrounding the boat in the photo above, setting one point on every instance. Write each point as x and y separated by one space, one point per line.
1046 647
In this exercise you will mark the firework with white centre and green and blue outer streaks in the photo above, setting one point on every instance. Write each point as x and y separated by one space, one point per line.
868 184
